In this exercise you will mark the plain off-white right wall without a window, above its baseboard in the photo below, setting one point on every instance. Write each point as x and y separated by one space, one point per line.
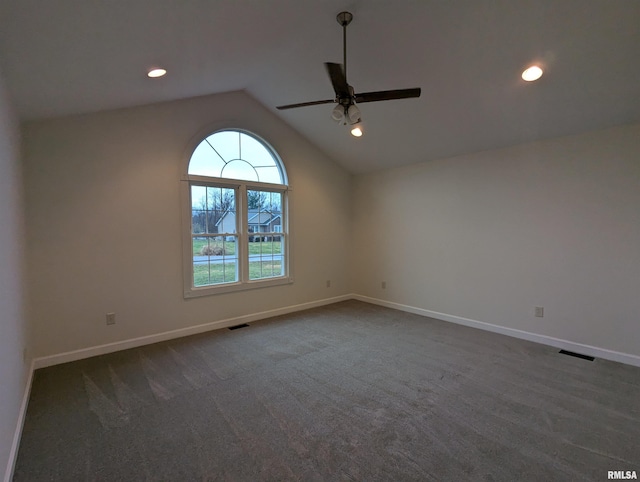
491 235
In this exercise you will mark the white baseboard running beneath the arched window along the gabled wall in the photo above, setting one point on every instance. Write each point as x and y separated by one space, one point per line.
169 335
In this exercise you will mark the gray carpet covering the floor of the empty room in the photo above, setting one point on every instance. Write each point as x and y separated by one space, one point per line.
350 391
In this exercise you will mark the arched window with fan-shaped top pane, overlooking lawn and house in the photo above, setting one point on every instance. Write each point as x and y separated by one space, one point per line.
236 198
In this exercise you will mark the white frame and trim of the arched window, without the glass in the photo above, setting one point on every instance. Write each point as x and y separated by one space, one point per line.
241 187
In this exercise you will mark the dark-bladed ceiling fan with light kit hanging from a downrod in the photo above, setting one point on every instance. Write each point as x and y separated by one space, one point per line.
346 98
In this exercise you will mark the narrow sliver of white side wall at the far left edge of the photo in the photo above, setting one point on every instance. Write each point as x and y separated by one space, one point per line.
13 329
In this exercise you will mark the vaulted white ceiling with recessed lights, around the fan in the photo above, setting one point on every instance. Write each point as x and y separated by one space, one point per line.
63 57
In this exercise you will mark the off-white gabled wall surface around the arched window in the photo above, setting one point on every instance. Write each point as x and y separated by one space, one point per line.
103 210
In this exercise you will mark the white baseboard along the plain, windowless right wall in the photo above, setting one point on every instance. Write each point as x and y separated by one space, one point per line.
593 351
